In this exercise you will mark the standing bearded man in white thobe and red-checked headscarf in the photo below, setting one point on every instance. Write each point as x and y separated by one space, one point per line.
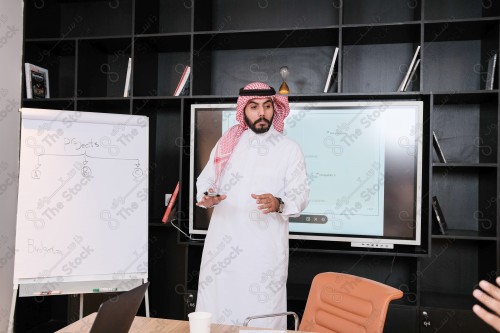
255 179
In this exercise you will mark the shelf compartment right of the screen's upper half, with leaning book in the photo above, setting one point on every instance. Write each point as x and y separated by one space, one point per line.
474 143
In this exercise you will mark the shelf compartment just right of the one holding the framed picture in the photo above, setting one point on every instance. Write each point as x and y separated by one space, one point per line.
102 66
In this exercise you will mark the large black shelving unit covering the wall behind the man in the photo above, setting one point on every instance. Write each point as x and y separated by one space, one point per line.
228 43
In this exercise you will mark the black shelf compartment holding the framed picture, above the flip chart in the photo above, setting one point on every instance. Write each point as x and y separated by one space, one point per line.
58 57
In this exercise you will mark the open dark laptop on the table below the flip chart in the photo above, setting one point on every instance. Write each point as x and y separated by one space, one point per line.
117 314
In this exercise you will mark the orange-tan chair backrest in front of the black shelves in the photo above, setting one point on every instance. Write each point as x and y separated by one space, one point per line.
339 303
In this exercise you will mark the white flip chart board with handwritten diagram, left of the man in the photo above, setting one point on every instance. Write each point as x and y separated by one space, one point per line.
83 198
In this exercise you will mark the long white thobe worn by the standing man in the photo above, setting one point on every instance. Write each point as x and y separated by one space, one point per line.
244 265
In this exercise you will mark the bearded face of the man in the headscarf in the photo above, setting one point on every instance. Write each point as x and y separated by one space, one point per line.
259 114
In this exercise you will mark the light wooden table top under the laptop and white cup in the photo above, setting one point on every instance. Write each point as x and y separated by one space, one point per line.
157 325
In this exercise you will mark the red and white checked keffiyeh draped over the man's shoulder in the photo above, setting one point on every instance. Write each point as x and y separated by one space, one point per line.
229 140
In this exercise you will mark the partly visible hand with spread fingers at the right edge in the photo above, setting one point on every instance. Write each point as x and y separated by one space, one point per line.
489 296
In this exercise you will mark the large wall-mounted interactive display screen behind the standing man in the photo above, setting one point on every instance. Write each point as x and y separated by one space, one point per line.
364 166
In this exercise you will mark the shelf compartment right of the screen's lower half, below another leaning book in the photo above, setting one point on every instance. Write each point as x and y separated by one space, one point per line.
467 198
